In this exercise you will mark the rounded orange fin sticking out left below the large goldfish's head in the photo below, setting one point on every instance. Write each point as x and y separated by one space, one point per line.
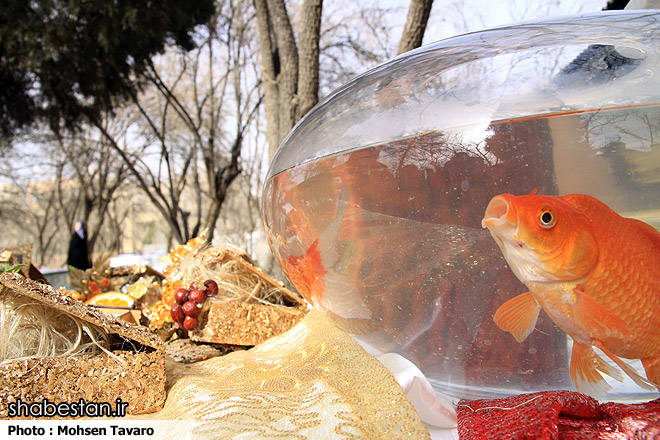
518 316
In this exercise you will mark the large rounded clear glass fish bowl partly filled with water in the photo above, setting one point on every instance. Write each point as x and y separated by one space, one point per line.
373 203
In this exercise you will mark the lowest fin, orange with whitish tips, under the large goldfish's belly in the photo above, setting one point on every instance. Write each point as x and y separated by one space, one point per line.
584 371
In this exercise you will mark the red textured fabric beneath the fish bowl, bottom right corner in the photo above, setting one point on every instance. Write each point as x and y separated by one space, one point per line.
562 415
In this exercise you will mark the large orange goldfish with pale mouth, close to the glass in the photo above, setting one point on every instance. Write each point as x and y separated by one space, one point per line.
595 273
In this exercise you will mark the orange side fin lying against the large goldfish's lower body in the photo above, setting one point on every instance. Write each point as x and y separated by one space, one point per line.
597 319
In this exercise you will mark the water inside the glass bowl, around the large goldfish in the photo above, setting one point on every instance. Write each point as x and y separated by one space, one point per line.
386 239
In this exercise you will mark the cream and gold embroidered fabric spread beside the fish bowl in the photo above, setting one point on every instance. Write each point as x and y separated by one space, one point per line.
313 381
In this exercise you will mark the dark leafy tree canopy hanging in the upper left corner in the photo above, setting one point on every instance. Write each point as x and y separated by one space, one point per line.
62 60
